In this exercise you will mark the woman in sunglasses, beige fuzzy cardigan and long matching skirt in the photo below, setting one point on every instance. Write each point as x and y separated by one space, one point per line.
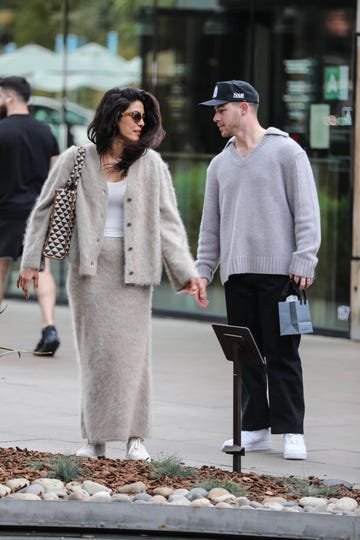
127 225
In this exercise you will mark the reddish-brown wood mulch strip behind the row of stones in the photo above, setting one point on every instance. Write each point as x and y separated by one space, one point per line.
115 473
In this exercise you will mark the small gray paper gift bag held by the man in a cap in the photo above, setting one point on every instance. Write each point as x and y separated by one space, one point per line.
294 312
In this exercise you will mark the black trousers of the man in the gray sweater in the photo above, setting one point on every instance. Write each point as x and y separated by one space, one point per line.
272 396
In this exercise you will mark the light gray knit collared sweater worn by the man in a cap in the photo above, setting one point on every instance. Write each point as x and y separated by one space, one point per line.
261 212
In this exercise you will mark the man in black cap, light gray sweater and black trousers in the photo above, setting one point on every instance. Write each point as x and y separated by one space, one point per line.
261 223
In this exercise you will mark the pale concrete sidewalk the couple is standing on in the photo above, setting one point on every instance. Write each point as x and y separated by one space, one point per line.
192 405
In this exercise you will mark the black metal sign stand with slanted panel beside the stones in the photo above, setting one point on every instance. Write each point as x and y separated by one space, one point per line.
239 346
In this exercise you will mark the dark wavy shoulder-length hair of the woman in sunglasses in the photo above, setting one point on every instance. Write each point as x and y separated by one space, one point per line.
104 129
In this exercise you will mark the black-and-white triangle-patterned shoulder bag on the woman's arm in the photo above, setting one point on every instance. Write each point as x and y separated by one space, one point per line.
62 219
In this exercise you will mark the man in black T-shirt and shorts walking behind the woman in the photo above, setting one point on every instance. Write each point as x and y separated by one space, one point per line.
27 151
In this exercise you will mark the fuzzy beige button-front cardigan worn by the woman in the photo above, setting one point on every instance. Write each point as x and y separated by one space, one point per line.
154 233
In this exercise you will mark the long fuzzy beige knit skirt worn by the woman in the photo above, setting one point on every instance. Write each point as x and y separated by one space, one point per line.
112 324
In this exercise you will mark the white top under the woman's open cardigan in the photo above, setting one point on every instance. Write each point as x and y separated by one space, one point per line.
114 224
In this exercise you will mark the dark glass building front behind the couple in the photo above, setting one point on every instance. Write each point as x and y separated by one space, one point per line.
300 55
